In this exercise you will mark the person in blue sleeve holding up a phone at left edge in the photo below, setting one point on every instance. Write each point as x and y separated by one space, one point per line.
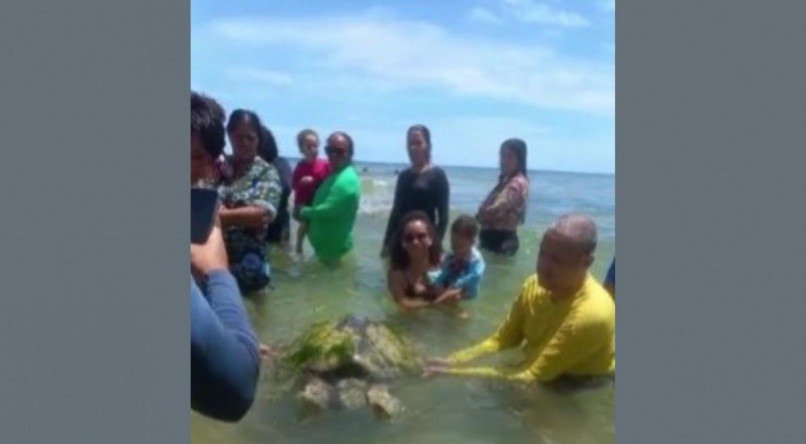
224 351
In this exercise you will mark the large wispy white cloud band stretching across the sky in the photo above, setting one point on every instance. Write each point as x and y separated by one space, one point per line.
406 54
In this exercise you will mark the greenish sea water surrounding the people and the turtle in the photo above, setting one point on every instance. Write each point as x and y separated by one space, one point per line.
442 409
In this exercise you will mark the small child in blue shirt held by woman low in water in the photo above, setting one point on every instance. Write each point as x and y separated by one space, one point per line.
461 270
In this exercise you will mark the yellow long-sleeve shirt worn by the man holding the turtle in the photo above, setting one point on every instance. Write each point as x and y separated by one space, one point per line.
575 336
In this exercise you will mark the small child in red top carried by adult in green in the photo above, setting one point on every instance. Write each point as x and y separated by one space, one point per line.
309 173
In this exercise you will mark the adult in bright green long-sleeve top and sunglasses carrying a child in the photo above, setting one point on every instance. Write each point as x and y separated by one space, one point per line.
332 213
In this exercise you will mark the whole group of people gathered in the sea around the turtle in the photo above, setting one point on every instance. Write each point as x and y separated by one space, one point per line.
563 318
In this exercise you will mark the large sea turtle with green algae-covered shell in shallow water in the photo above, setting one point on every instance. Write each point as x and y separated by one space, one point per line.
349 363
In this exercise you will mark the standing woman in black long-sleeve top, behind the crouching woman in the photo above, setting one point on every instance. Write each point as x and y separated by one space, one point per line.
423 186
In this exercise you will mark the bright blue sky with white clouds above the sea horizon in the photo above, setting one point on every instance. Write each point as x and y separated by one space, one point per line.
475 72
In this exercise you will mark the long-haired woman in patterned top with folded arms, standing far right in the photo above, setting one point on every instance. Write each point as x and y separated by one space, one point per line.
505 207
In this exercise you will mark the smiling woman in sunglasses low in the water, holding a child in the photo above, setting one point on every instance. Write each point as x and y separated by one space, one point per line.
414 252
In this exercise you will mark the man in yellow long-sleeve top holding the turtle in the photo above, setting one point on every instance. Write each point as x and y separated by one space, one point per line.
563 319
